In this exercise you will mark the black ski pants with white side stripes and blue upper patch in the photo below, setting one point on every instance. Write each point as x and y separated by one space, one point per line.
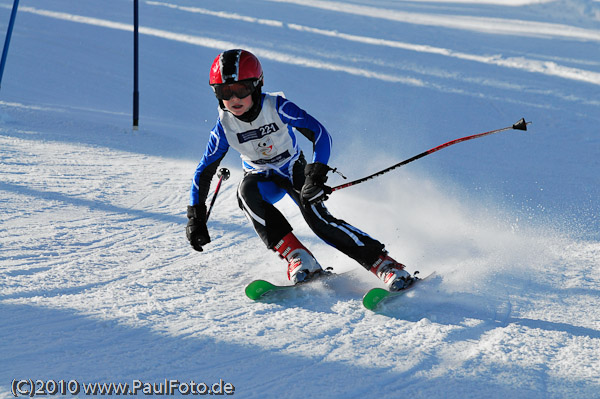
258 192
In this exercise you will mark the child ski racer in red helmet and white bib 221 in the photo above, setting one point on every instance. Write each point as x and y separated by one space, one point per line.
263 128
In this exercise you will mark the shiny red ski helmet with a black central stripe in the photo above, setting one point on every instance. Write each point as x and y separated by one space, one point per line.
235 65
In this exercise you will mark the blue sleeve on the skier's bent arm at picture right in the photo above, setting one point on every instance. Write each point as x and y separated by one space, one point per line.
311 128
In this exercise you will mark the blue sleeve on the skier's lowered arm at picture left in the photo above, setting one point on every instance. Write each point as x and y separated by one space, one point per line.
216 149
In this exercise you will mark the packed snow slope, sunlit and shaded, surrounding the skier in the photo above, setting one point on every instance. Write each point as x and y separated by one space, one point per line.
98 283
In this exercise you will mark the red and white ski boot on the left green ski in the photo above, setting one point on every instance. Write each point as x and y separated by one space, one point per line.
302 265
